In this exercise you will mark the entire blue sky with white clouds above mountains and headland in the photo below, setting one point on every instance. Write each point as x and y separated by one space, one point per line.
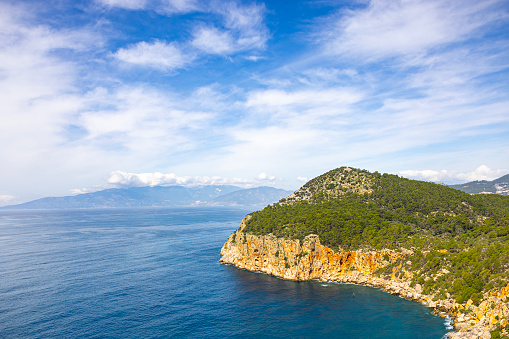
117 93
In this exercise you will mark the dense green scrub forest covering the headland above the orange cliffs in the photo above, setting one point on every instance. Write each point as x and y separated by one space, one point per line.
460 241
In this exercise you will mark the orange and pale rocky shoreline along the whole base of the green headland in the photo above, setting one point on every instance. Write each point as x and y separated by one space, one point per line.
307 260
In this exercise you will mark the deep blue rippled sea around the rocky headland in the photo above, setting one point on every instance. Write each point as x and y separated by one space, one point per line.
155 273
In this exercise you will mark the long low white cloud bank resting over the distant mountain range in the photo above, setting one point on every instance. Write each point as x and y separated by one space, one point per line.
125 179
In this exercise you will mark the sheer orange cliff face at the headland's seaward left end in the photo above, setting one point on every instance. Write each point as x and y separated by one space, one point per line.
293 260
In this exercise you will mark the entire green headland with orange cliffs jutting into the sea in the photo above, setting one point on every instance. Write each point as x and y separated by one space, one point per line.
418 240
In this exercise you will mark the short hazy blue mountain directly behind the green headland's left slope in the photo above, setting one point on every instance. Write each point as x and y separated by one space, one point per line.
253 196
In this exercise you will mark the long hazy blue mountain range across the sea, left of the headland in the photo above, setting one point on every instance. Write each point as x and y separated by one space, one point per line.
161 196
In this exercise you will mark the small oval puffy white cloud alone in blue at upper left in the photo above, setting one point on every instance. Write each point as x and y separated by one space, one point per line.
157 54
